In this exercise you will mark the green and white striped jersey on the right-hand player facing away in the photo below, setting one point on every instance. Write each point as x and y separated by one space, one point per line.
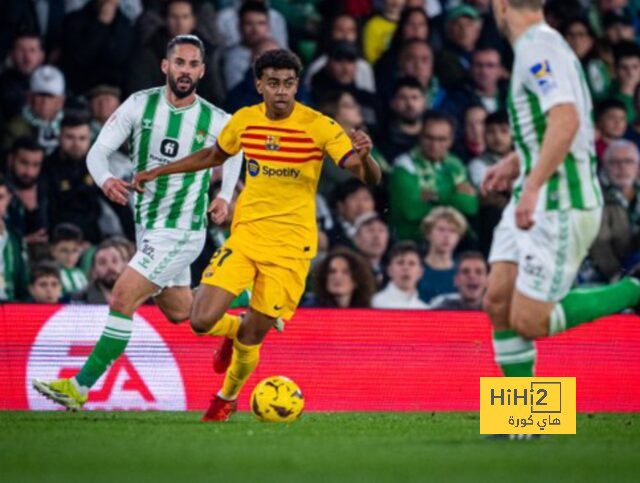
546 73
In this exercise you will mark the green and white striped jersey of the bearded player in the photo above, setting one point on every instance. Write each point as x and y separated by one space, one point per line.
158 134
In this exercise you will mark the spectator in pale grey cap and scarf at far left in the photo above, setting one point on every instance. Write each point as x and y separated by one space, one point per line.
41 116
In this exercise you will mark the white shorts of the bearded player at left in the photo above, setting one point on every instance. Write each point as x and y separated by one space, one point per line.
164 255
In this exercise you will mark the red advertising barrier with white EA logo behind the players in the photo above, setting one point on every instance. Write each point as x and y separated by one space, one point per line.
343 360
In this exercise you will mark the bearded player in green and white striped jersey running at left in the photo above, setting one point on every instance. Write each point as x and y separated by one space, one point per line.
161 124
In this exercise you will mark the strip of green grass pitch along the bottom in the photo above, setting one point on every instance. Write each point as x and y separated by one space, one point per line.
322 447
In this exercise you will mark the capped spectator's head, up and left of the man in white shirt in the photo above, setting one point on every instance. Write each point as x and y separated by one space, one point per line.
371 240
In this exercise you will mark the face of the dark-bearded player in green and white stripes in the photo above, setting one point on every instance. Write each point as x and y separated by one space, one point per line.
184 68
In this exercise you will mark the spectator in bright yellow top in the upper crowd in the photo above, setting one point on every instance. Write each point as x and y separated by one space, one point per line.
378 31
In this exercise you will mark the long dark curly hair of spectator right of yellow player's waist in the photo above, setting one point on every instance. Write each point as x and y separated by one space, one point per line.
361 275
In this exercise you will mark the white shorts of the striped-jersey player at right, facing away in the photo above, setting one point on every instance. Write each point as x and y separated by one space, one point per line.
550 253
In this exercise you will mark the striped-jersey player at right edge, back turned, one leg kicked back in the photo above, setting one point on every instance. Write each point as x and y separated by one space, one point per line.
554 214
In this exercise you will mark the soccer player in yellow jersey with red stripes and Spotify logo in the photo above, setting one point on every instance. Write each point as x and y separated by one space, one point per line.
274 233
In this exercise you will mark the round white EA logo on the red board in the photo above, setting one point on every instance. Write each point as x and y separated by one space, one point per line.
145 377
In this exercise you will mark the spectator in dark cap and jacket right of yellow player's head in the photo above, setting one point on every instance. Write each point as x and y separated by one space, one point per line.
340 75
